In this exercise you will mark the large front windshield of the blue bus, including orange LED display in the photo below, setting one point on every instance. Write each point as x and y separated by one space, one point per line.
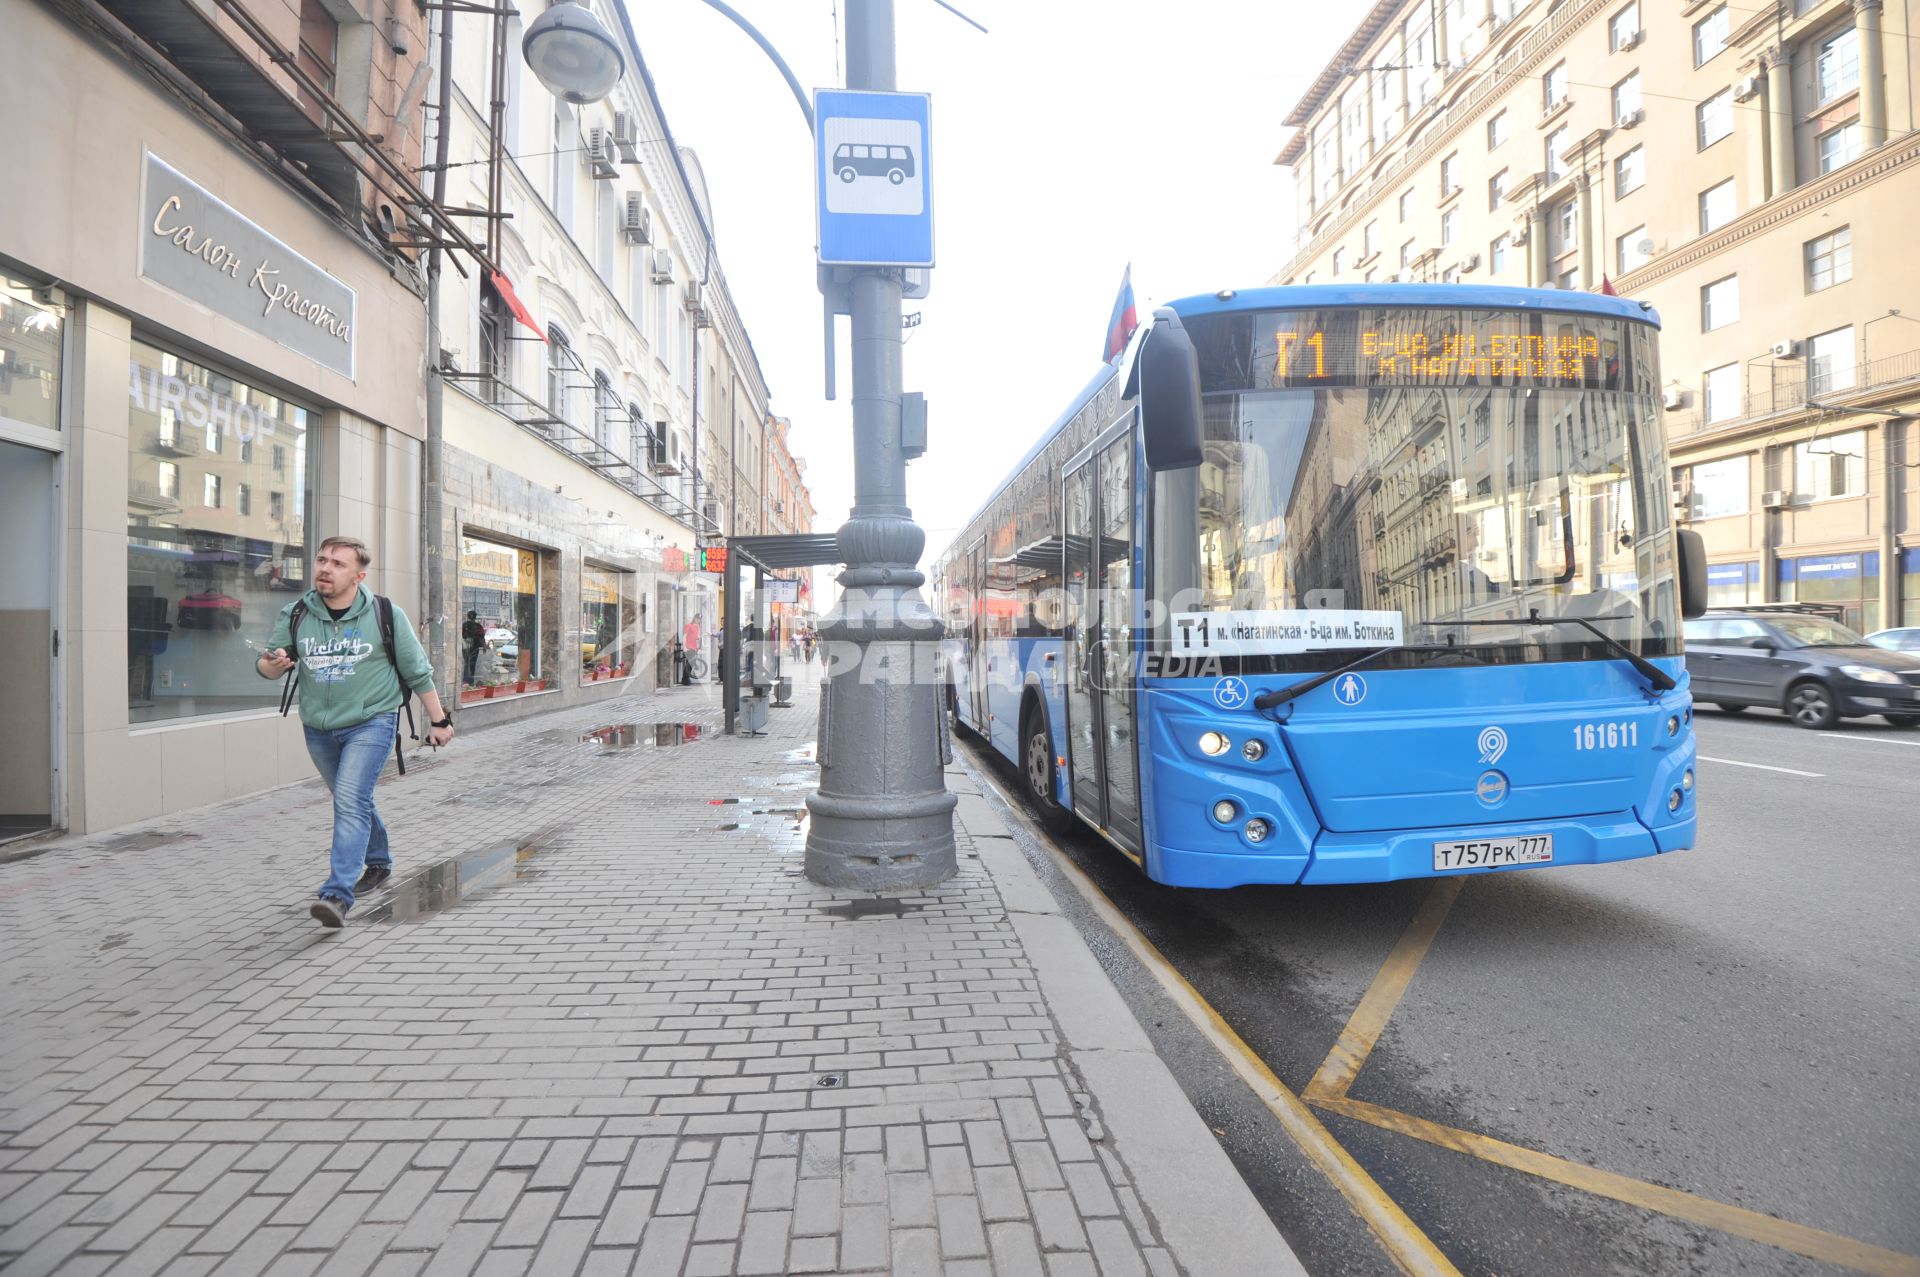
1403 477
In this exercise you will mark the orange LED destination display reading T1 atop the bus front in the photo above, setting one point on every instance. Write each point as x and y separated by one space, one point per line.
1410 347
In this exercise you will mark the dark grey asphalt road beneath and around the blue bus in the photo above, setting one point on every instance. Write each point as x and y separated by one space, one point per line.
1739 1023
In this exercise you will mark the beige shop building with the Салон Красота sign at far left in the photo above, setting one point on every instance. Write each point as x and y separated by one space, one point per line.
210 352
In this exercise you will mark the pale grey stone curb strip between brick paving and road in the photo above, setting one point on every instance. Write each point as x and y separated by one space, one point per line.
1205 1213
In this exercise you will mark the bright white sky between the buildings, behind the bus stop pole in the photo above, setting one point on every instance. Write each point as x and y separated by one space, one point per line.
1070 141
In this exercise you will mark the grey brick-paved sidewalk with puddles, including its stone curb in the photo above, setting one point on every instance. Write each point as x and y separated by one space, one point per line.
602 1024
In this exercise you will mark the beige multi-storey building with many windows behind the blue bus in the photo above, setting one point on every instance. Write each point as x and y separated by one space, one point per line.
1739 168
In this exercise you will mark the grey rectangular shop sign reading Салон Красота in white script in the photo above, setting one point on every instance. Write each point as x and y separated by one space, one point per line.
204 251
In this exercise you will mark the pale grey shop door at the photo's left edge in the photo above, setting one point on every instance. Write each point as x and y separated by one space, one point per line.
28 502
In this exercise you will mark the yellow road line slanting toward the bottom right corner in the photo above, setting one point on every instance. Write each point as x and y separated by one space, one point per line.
1750 1224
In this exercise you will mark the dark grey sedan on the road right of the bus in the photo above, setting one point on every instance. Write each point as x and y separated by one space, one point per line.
1800 662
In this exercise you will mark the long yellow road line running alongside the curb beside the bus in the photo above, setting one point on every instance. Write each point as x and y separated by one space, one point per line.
1399 1236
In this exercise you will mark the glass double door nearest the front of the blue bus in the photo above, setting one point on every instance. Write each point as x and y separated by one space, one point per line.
1101 692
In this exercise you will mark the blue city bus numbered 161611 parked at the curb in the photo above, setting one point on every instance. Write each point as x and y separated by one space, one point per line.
1335 585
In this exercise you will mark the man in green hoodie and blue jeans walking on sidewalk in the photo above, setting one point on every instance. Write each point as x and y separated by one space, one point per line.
350 696
